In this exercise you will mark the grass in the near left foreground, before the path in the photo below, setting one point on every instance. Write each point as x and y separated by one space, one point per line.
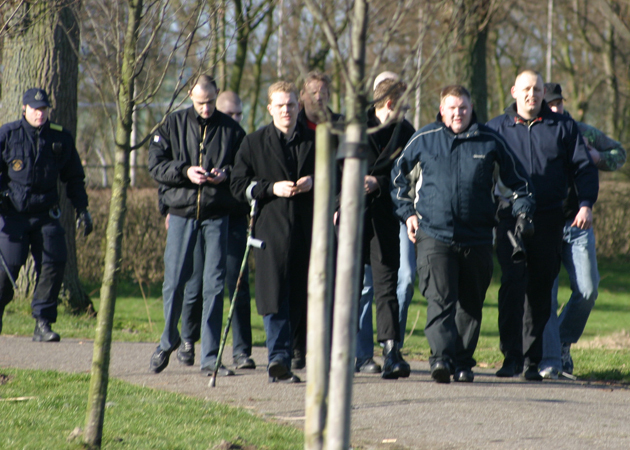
40 409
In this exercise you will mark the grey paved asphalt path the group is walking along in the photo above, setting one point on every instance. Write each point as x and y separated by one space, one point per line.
413 413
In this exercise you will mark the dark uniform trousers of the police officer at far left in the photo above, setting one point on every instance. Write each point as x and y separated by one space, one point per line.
46 240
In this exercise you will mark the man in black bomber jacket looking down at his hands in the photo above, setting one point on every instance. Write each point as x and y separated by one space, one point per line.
191 156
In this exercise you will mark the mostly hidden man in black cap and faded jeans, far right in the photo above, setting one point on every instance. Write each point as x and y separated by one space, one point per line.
578 254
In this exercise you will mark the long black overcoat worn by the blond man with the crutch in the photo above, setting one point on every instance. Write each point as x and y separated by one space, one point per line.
284 224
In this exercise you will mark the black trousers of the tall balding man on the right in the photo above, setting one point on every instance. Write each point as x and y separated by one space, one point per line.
525 293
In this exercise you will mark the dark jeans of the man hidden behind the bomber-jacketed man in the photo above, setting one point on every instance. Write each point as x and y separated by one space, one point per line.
192 308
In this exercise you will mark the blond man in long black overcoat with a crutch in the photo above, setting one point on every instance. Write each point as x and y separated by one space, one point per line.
275 167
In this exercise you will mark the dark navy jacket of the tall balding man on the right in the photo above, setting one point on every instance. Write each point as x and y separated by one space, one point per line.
553 153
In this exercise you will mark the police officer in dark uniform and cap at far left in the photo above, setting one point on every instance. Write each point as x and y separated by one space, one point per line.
34 154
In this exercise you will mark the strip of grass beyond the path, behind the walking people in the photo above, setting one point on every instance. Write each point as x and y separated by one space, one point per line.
602 353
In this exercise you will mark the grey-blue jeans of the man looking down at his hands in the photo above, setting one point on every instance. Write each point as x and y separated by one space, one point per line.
189 244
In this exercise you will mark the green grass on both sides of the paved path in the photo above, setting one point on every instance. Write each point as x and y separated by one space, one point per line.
55 402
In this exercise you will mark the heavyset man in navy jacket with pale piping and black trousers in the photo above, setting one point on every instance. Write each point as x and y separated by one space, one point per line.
442 189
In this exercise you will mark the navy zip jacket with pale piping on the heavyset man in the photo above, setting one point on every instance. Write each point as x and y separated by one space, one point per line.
448 180
